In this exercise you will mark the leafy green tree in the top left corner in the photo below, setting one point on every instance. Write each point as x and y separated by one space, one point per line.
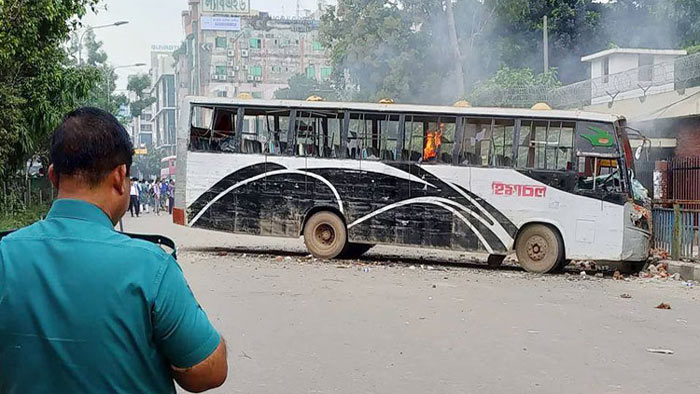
38 83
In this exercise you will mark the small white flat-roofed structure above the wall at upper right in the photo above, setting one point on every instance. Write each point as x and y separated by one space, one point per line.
624 73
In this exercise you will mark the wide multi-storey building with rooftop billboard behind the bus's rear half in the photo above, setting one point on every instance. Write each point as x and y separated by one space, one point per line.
234 50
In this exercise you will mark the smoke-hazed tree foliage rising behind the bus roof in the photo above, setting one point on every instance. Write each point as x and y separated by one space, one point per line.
404 49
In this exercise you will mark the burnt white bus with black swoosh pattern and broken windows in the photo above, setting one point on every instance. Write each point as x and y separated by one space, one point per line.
550 185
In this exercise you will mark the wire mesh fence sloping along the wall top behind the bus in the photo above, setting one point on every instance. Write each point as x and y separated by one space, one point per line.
683 72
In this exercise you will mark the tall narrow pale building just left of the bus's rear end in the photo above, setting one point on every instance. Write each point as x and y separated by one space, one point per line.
163 90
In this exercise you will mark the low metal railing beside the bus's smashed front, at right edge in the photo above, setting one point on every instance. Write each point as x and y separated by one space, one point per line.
677 231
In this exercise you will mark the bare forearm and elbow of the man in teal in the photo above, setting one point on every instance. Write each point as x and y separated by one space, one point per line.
208 374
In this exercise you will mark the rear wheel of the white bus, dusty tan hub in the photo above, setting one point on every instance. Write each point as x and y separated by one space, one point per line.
325 235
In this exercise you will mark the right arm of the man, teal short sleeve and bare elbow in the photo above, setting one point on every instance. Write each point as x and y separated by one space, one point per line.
184 335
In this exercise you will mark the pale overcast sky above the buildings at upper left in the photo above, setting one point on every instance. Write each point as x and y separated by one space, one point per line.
157 22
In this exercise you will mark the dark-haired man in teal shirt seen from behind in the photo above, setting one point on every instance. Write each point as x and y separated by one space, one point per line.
85 309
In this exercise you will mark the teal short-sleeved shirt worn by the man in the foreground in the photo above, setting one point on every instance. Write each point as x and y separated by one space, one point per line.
85 309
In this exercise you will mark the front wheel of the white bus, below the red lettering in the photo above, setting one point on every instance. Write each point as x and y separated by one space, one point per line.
539 249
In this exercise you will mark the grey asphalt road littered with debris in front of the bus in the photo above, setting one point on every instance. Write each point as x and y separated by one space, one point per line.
387 325
